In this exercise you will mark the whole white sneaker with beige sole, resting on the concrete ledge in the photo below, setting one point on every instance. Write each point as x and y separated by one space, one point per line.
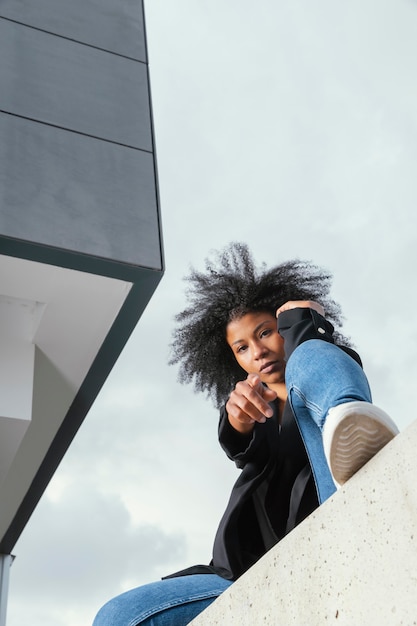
353 433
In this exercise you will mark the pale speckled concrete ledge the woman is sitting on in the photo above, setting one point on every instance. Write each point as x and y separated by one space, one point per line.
353 561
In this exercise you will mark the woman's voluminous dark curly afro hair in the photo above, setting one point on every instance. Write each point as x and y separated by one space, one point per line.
230 287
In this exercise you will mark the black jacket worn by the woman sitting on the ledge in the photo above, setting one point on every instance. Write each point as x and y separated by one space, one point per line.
275 490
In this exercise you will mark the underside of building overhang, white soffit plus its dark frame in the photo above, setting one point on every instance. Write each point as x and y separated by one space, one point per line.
64 319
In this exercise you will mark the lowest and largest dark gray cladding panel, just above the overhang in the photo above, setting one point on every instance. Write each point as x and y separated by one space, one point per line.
81 194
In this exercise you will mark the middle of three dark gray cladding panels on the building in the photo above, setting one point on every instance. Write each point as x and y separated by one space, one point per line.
60 82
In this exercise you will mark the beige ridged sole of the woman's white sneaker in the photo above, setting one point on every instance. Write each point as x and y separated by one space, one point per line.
356 439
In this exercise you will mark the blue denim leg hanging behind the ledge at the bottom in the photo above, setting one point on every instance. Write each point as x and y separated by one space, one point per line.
170 602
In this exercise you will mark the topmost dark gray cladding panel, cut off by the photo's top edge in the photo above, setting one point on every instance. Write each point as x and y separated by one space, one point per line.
115 25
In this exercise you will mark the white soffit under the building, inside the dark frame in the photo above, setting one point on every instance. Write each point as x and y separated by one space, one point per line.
53 322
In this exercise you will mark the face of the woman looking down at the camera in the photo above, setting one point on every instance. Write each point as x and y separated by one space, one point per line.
257 346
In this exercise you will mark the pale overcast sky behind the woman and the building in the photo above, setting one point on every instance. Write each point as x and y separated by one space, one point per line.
287 124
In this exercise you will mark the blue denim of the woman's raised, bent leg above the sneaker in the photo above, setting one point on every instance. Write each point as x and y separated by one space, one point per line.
319 376
